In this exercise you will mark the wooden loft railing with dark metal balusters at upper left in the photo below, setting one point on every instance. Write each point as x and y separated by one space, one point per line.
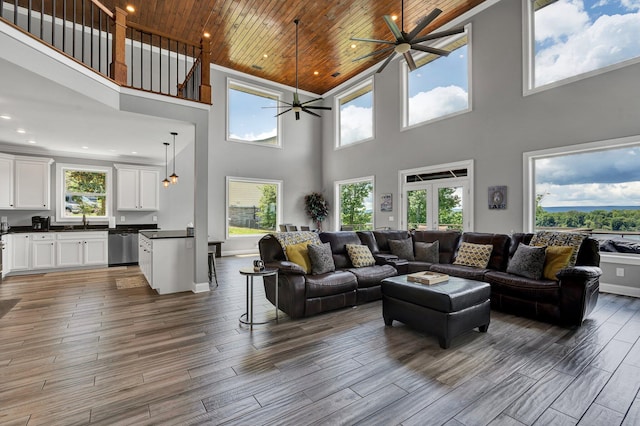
103 40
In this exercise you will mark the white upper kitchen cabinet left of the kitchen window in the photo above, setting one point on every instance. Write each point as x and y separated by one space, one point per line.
25 182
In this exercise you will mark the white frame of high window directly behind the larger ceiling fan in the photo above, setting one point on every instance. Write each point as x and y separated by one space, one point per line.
404 84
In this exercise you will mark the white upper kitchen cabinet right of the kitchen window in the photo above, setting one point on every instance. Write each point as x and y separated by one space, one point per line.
138 188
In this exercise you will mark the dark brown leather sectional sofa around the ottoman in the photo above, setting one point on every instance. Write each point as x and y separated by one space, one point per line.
567 300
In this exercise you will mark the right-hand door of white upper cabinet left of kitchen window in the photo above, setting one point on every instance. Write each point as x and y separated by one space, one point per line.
32 183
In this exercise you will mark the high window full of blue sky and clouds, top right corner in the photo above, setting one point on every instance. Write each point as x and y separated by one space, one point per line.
570 38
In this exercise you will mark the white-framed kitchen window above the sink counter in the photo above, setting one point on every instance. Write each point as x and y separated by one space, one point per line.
83 190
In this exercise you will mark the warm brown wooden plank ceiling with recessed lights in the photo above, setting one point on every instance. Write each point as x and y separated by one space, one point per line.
257 37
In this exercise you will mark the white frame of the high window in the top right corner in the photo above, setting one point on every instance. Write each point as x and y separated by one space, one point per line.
528 59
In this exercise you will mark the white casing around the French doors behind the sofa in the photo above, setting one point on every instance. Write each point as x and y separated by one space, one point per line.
468 200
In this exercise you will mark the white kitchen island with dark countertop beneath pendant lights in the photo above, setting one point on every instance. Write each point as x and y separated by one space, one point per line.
166 258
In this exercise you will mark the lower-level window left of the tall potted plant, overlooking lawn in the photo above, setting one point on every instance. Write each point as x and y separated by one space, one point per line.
253 206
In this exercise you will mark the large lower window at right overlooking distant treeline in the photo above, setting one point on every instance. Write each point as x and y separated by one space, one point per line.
593 187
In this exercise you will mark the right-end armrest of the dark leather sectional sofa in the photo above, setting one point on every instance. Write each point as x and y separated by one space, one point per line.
579 287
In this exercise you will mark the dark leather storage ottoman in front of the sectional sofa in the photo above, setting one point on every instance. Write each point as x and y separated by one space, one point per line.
445 310
